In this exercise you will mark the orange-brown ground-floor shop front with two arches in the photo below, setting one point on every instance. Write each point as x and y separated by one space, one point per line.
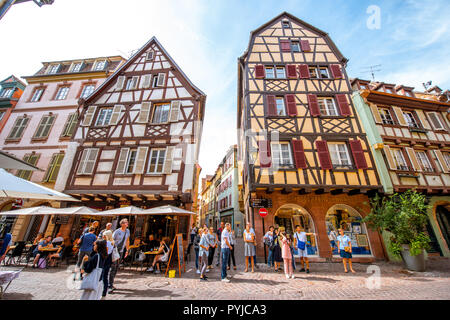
320 216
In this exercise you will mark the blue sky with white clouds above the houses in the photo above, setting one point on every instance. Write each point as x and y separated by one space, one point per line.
411 42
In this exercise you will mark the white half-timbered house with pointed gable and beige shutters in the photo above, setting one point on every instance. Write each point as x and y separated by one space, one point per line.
138 138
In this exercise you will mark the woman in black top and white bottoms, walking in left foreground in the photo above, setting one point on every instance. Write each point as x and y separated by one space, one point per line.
95 261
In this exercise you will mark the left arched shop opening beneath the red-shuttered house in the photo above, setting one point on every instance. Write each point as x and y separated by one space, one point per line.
291 215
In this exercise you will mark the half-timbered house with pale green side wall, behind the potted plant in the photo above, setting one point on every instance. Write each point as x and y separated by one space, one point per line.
409 133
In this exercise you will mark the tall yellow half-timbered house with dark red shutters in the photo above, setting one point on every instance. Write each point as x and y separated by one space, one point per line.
305 154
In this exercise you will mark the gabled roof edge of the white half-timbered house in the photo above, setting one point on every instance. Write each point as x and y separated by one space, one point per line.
130 61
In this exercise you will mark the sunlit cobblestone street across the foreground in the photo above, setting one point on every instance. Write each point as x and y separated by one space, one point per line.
326 281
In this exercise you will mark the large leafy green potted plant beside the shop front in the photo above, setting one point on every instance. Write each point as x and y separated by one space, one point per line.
404 216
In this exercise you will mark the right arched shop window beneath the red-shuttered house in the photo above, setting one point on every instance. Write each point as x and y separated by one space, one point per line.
349 219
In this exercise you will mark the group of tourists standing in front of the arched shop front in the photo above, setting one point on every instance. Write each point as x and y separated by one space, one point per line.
281 248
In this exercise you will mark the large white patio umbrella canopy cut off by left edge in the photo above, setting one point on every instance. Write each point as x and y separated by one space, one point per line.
15 187
